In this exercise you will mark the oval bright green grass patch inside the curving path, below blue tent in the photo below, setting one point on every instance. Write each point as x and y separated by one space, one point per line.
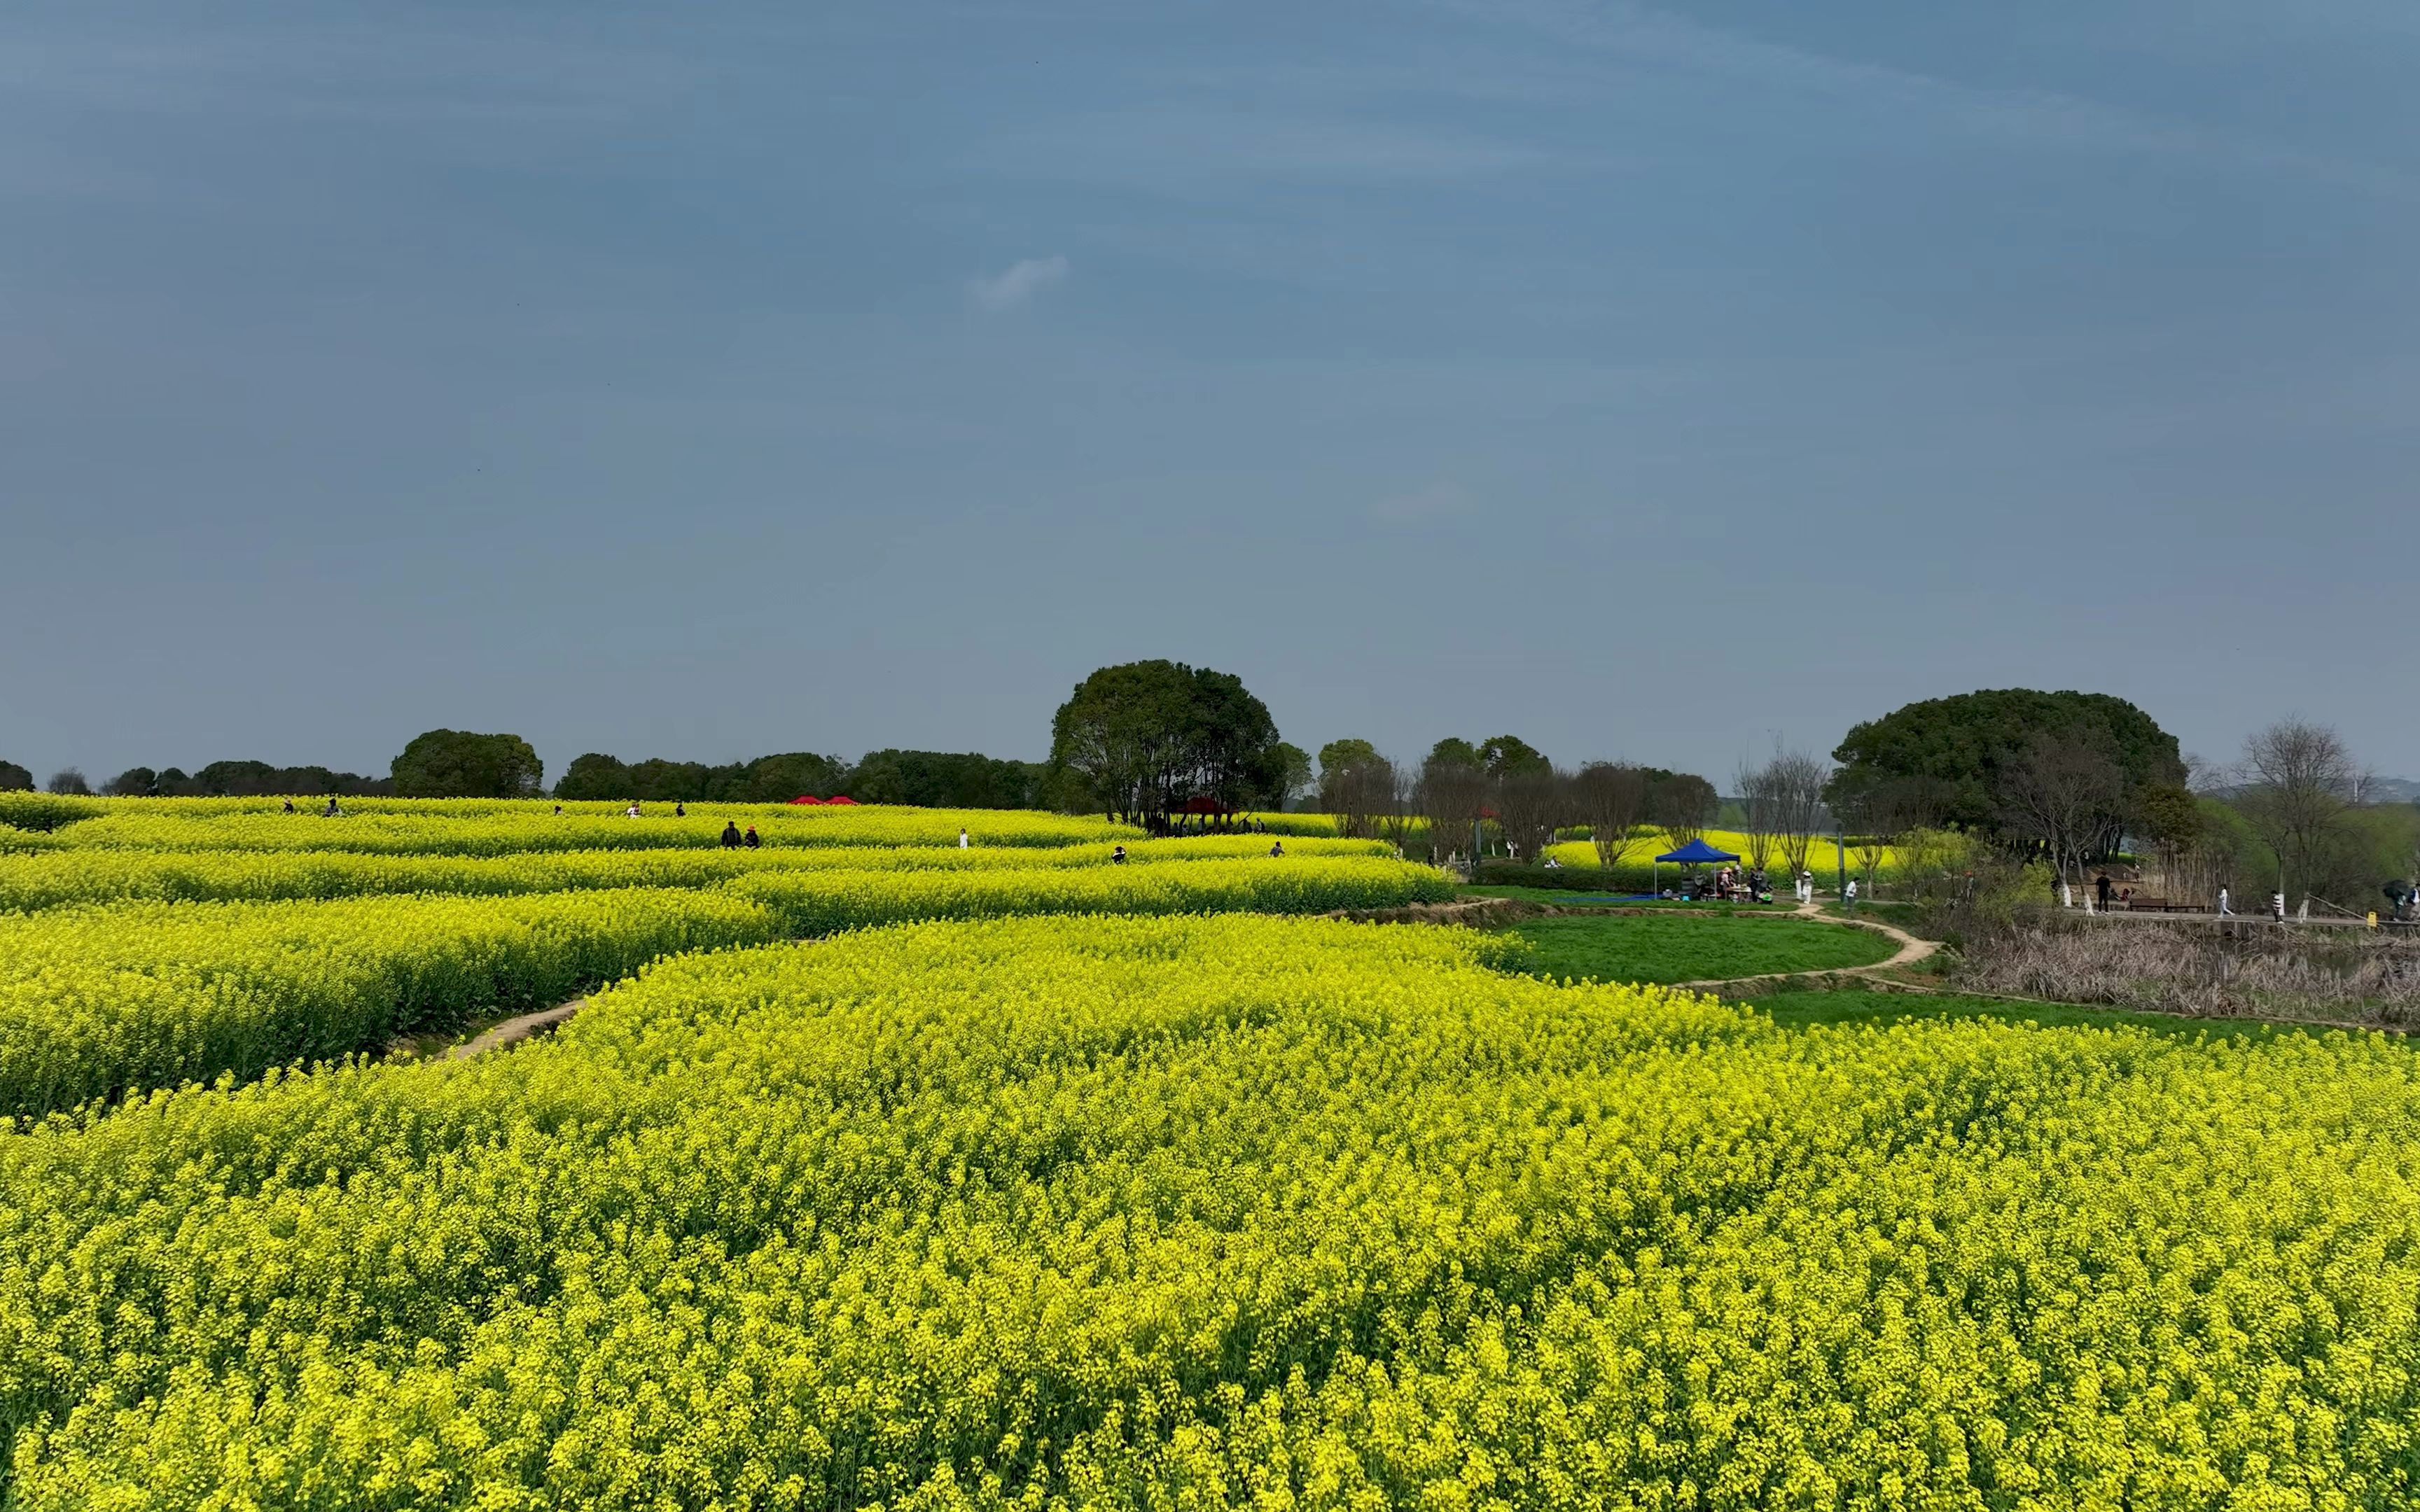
1688 947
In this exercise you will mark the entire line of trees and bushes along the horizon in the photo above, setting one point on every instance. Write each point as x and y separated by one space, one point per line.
2058 778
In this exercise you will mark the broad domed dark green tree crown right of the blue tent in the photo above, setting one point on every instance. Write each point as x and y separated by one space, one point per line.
1974 746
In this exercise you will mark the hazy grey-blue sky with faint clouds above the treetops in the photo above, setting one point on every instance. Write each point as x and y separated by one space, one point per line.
1644 381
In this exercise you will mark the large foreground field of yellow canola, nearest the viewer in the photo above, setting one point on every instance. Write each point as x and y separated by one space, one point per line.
1216 1211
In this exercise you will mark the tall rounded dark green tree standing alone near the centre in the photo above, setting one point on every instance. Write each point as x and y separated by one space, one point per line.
1146 737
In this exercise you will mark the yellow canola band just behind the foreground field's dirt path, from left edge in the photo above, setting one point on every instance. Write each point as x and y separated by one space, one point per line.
134 996
